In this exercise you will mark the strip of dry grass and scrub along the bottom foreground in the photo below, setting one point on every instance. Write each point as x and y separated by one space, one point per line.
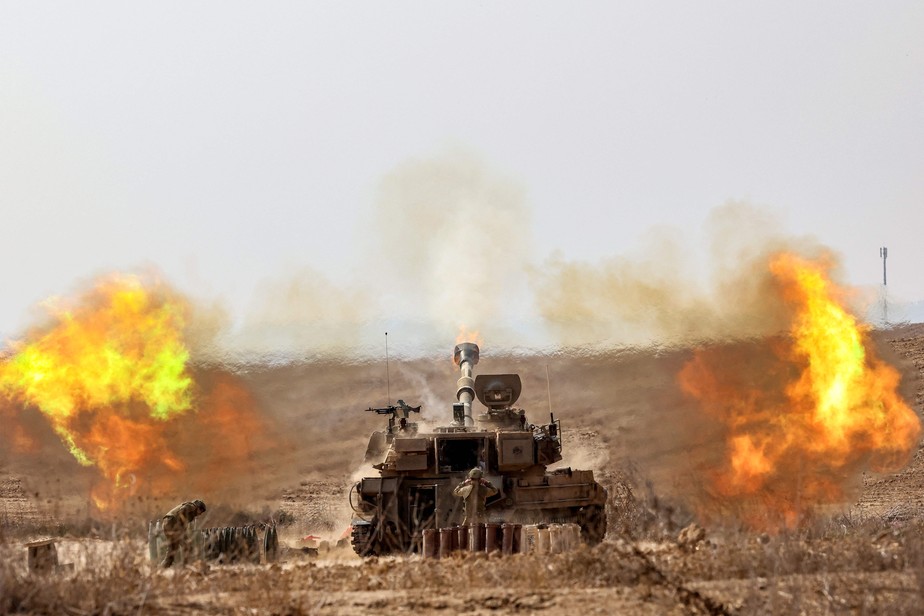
866 568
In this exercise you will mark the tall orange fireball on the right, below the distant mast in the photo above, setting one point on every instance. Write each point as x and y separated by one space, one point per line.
801 425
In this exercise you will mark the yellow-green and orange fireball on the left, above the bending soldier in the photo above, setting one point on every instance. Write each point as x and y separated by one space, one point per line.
111 367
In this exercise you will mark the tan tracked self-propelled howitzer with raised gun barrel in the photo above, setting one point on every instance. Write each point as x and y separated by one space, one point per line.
417 471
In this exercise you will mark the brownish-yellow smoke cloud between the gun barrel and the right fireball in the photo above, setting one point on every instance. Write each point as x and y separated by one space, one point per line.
672 292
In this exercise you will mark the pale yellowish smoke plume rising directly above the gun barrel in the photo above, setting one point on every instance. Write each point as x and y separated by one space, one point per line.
456 239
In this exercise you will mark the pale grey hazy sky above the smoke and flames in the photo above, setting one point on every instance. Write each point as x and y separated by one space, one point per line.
228 144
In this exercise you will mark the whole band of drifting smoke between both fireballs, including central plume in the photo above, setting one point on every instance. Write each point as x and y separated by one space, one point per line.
448 245
